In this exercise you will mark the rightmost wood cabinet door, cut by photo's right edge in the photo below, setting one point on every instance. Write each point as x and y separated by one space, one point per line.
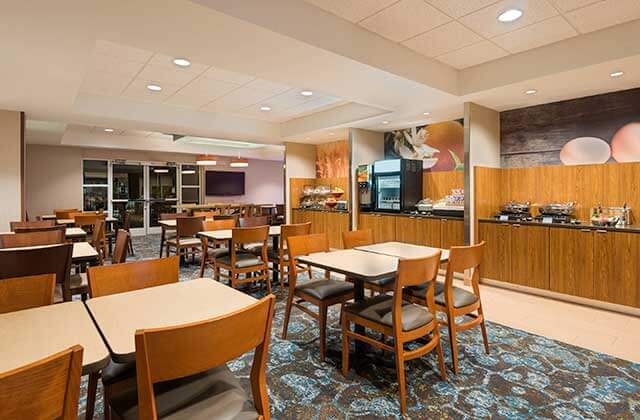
616 267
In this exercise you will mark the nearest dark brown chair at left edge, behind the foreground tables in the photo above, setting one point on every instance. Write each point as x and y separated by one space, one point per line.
22 262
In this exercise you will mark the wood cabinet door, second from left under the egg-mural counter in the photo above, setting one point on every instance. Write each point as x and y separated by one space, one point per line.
530 256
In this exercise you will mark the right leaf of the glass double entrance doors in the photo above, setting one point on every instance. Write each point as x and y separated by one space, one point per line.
163 193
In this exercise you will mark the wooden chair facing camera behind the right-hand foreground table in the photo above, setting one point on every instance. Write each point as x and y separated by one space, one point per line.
111 279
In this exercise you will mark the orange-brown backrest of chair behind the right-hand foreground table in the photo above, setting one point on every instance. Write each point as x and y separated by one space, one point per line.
111 279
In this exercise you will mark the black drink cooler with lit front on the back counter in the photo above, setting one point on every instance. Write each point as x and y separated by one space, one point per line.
397 184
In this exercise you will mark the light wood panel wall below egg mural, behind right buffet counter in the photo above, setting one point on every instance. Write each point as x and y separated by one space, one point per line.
610 184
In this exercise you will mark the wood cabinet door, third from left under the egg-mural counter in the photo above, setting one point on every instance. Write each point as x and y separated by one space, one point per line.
571 261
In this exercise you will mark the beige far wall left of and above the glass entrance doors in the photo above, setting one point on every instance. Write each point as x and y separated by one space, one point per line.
54 173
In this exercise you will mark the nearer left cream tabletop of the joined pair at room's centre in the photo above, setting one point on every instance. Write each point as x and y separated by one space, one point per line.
353 263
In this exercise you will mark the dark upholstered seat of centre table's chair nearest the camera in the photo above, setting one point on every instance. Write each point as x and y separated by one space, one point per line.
379 310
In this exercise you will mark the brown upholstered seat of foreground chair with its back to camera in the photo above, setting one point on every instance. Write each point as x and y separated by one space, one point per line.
215 394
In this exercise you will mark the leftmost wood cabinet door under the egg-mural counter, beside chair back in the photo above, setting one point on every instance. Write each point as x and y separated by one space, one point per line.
496 261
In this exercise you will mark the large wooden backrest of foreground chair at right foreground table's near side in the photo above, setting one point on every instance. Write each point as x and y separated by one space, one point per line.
169 353
